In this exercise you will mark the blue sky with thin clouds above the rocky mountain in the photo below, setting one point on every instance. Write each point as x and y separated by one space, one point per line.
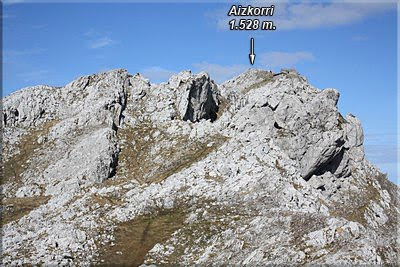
351 47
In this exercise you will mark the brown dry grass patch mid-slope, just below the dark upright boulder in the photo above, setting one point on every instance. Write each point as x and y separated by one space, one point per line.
137 162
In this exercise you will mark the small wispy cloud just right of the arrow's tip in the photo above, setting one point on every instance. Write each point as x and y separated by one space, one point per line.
277 59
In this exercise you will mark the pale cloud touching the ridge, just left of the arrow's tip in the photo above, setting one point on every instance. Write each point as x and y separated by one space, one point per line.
220 73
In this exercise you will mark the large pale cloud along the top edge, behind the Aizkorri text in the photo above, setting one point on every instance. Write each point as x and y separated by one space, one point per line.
309 15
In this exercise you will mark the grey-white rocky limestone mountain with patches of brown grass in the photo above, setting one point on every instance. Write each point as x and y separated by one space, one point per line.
261 169
